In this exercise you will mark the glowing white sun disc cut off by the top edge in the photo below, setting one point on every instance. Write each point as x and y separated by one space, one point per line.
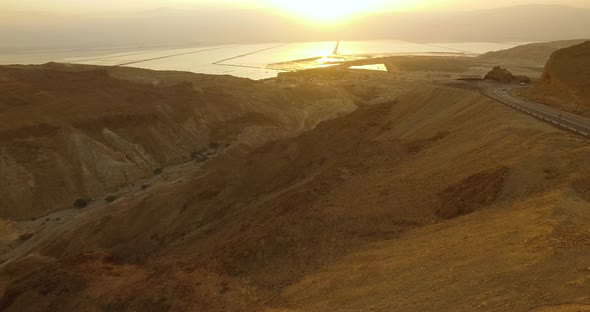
326 11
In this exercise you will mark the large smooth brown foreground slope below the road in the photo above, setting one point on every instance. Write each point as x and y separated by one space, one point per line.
440 200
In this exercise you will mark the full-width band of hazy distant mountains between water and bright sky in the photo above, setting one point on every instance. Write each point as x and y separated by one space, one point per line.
527 23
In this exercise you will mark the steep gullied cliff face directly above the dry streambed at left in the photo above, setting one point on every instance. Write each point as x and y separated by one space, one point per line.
48 171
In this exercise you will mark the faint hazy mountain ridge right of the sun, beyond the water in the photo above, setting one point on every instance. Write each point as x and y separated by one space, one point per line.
526 23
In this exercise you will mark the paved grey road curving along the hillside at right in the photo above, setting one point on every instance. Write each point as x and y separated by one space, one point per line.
502 93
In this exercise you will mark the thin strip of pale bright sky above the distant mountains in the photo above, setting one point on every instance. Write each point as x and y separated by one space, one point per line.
325 12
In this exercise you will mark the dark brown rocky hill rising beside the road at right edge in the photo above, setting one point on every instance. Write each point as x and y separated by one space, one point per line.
566 80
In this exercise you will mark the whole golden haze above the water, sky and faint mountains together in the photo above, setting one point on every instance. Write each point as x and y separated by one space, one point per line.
66 24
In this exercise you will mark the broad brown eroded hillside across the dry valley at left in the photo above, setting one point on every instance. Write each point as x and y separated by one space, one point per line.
71 132
